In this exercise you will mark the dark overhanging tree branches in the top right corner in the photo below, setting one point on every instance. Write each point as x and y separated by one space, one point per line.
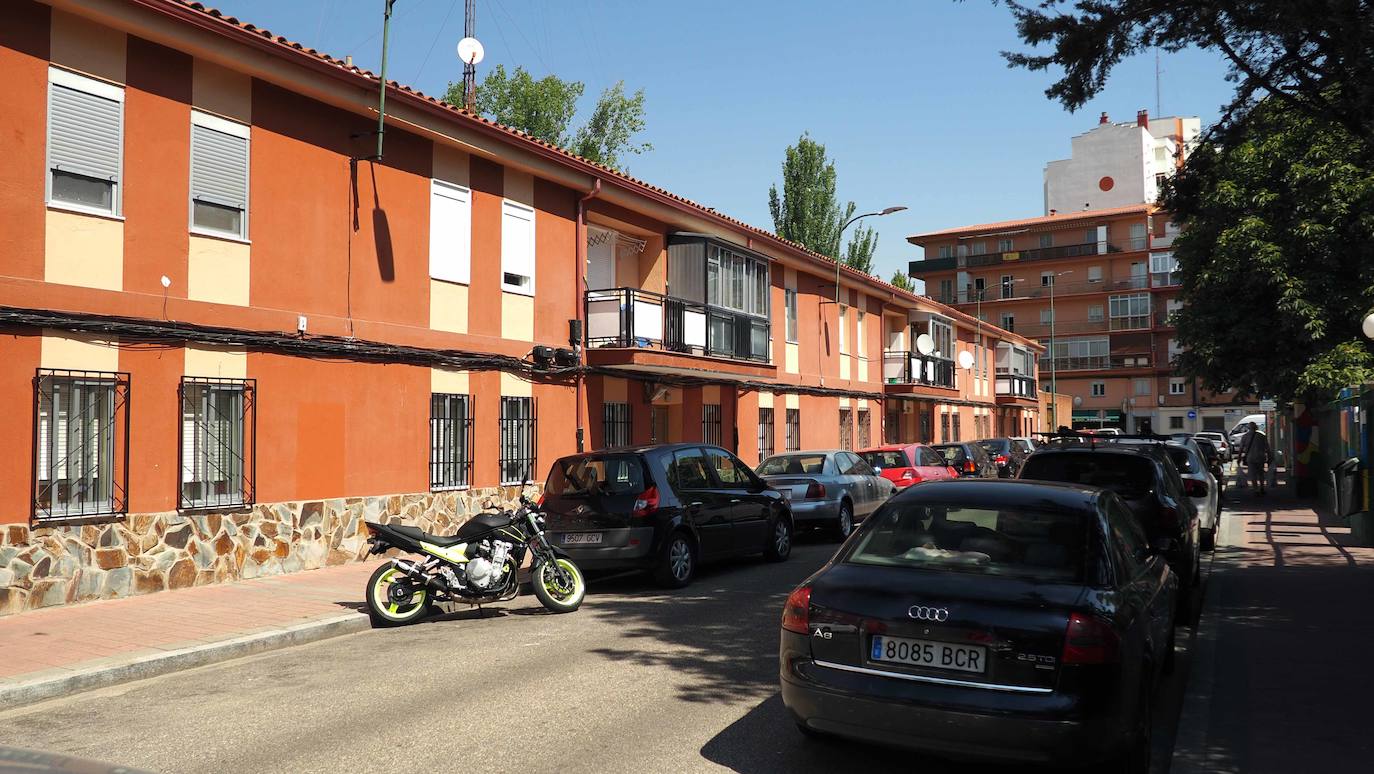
1313 57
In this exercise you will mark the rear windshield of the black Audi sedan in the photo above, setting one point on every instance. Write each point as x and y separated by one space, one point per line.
1026 542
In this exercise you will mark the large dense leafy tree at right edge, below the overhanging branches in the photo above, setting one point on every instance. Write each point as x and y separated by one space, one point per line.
1279 230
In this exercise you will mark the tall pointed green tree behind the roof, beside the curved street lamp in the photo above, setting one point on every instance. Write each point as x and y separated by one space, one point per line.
807 211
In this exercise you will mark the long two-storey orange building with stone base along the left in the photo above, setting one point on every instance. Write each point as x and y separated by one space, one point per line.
229 333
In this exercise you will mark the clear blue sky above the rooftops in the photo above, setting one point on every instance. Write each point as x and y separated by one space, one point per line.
912 98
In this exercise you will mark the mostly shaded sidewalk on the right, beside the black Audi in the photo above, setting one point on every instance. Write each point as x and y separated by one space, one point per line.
1281 680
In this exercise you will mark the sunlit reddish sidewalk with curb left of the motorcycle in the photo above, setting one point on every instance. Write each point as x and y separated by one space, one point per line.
61 651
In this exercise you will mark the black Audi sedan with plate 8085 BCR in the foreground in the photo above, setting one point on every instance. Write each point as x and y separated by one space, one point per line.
987 619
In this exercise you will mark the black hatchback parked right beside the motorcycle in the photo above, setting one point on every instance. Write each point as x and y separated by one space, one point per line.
663 509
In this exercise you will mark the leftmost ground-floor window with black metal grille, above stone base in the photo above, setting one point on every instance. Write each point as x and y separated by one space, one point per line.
82 452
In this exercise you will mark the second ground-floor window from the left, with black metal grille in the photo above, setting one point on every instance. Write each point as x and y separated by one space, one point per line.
219 431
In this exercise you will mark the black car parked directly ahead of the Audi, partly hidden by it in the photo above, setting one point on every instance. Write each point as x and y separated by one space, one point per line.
1147 479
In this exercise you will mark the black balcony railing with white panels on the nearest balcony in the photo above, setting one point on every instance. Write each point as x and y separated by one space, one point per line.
627 317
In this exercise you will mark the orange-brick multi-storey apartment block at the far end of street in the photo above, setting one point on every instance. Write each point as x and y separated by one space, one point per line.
1112 281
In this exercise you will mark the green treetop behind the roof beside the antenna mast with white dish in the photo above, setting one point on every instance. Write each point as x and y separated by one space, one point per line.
545 109
